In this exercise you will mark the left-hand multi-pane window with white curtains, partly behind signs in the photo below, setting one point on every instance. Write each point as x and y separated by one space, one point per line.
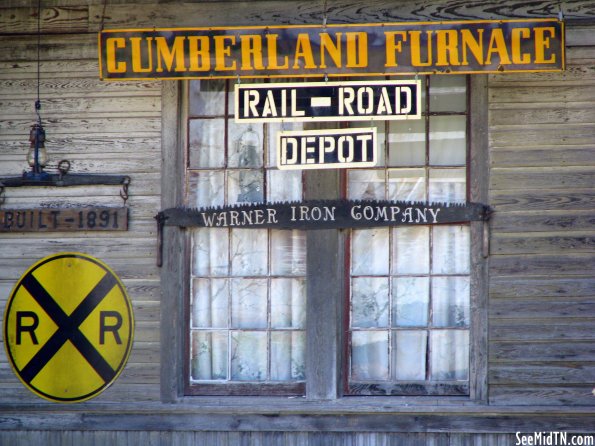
247 291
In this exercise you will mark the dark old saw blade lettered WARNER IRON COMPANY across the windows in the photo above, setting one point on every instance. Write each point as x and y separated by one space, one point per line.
320 214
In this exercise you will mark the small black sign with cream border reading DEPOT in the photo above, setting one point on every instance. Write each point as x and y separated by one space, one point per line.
326 149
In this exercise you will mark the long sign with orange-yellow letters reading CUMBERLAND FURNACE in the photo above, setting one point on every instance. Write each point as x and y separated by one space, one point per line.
368 49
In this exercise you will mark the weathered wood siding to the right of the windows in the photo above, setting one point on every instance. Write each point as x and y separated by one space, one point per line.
542 264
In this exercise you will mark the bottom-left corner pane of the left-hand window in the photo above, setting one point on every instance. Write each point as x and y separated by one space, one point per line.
209 355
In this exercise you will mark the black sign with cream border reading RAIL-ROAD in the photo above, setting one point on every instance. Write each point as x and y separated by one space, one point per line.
328 101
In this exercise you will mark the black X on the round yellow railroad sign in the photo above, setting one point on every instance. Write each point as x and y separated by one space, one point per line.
68 328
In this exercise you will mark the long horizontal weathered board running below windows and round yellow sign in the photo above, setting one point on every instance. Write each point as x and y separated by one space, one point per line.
262 417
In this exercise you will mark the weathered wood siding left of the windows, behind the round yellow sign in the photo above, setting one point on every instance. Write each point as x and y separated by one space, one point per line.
110 128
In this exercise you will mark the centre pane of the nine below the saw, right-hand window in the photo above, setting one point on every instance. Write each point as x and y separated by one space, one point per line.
411 296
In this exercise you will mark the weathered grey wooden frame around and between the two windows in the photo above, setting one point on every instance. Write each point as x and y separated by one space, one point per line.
325 276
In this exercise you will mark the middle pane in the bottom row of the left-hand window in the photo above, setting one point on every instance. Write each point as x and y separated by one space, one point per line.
248 355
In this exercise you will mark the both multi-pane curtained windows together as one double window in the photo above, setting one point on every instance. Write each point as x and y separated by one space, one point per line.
407 327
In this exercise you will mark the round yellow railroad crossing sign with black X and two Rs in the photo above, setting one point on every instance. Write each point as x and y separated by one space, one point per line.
68 327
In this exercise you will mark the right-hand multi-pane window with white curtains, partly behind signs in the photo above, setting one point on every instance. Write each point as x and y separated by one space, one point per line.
409 285
